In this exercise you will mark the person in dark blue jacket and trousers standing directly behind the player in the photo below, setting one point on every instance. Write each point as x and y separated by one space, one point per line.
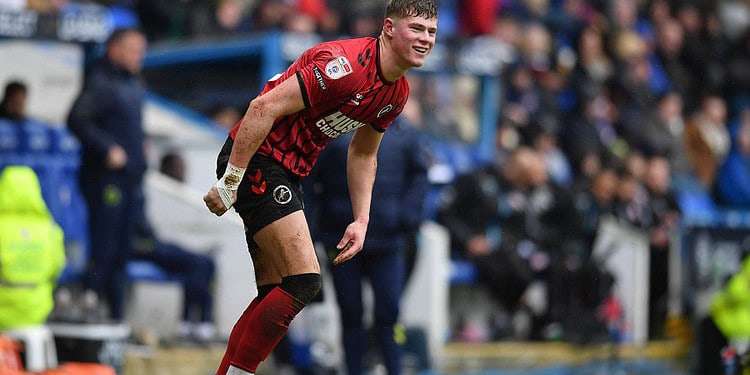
396 213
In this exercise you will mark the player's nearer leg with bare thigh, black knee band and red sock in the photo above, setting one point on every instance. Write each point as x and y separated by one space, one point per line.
288 242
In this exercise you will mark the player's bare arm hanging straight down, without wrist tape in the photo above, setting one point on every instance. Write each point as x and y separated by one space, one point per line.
362 163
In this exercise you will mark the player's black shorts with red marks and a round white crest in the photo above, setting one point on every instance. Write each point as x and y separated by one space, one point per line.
267 193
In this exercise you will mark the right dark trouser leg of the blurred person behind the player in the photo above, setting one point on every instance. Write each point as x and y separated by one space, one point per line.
386 272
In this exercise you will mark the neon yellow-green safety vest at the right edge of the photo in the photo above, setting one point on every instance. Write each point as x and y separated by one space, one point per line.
730 308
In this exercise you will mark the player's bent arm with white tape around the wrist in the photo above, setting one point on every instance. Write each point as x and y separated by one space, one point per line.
284 99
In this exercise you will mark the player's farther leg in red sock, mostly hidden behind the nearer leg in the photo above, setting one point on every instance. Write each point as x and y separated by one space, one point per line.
267 277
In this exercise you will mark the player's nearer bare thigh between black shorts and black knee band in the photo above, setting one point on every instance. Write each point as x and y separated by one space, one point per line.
288 244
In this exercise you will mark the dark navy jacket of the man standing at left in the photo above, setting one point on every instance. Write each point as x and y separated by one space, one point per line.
108 112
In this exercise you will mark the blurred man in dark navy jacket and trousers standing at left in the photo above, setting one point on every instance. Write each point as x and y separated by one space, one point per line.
106 118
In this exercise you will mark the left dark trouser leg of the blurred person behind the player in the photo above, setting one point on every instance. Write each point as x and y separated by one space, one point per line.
347 280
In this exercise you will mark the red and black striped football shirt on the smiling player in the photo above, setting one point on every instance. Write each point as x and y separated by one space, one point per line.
343 89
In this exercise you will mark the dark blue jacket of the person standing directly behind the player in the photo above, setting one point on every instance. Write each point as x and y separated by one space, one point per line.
398 195
